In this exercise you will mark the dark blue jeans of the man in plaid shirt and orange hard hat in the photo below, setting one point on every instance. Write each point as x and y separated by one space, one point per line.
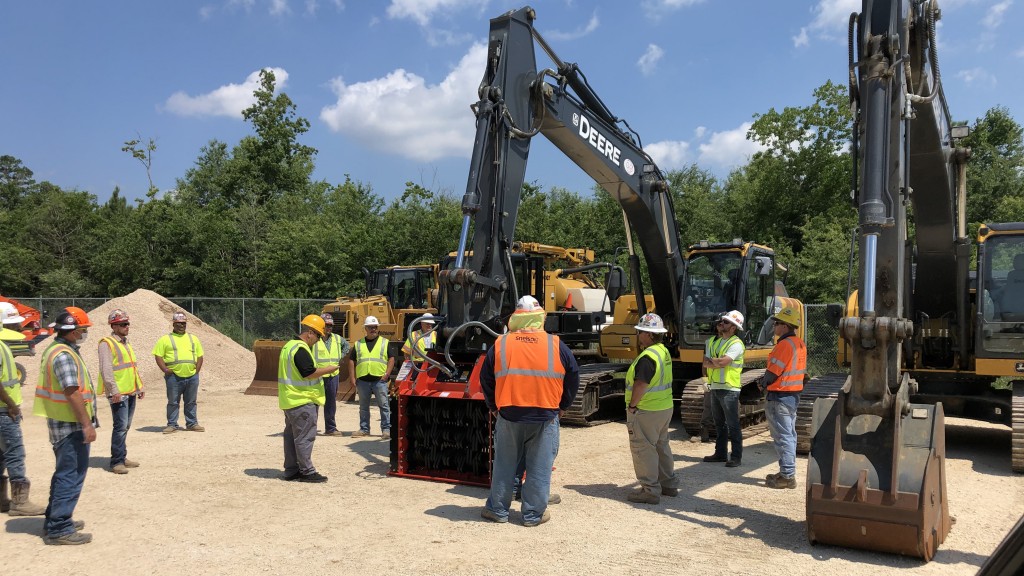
66 486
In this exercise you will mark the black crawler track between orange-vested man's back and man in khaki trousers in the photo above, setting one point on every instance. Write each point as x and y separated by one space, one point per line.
601 383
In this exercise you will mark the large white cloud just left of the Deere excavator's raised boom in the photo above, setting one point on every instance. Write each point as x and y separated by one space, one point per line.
402 114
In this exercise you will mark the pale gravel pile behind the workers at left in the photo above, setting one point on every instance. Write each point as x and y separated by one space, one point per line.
226 362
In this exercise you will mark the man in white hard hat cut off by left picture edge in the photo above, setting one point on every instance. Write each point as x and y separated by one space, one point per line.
12 442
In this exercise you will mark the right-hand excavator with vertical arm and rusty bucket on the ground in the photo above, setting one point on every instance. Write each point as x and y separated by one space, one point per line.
923 337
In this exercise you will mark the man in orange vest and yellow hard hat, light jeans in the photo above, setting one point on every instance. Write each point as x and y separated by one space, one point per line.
784 381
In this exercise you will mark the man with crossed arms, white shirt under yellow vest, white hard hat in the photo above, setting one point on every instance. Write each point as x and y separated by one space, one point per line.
723 363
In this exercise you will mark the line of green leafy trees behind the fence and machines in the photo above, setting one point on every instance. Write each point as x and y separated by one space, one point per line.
250 221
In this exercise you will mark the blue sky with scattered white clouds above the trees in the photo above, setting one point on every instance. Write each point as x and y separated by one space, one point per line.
388 85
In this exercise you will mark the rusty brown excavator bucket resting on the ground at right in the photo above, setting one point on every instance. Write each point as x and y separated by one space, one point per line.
878 483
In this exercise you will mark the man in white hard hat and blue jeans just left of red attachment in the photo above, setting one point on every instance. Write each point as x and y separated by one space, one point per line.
370 366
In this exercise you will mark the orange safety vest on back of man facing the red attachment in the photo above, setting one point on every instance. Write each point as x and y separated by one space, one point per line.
529 371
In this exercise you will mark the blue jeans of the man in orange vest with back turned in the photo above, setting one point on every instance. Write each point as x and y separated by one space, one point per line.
539 442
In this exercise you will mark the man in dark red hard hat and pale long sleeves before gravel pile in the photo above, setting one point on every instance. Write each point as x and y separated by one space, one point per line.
122 385
